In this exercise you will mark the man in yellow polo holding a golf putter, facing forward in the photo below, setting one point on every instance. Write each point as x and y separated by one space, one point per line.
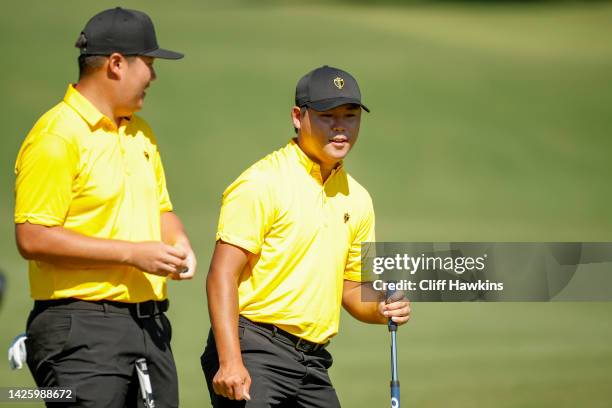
288 256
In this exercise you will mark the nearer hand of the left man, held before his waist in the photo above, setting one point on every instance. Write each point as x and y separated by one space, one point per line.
157 258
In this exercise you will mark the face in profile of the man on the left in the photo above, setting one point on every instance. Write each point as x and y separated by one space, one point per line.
137 76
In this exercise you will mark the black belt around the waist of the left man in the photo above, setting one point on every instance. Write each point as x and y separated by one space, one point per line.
140 310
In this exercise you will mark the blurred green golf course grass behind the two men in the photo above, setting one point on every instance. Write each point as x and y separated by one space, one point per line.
490 121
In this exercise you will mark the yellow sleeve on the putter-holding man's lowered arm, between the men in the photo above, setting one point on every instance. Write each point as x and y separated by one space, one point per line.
247 213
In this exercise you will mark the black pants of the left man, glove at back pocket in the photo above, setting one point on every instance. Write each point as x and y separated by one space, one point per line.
93 352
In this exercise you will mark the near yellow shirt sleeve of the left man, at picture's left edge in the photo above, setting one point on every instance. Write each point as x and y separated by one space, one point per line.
45 169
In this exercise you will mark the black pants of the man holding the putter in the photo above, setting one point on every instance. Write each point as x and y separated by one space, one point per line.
281 375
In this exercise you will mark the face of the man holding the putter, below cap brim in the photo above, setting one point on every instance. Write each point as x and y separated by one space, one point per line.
328 136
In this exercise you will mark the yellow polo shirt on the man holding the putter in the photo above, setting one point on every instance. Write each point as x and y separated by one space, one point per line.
307 237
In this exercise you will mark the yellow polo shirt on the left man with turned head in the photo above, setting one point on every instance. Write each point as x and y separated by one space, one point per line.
77 170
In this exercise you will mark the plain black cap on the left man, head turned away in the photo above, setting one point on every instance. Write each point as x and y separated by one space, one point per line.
128 32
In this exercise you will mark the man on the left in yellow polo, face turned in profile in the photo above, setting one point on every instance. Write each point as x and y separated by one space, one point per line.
94 218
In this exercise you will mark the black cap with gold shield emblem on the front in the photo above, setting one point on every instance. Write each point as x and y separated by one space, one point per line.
326 88
